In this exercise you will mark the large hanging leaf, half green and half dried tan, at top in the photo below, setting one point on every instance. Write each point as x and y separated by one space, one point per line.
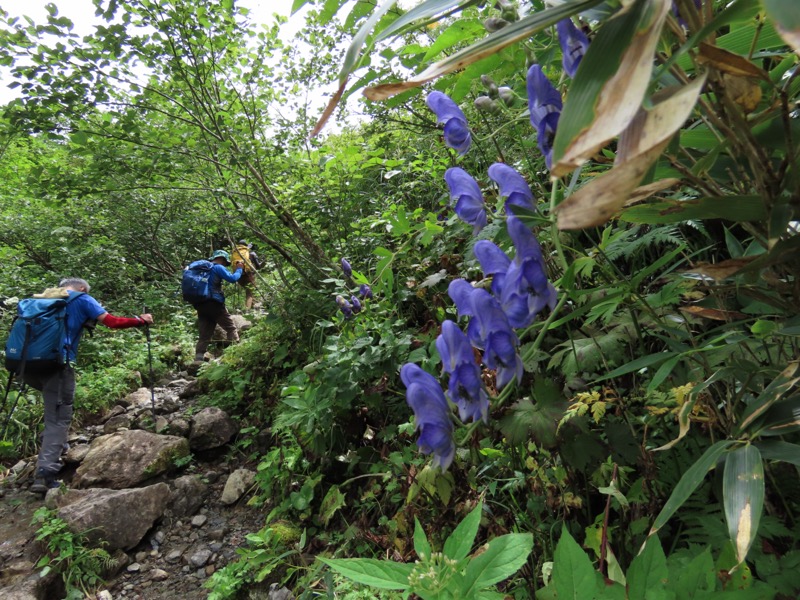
610 84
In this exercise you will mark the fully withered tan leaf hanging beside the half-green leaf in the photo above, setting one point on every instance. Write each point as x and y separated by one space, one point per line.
640 145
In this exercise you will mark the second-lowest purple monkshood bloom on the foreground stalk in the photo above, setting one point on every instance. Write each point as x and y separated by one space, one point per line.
465 387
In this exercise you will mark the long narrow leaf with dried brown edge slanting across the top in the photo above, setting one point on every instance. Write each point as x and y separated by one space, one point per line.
493 43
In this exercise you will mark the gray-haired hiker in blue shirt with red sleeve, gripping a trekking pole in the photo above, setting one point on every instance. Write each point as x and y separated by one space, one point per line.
57 384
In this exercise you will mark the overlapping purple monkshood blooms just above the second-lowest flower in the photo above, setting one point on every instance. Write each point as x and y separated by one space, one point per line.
488 329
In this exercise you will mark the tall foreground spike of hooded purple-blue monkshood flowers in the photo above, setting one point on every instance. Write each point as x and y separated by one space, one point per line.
519 291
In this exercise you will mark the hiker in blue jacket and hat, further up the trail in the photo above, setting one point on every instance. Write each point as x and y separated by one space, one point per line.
212 312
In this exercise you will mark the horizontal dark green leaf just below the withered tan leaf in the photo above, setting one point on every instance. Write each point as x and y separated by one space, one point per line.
732 208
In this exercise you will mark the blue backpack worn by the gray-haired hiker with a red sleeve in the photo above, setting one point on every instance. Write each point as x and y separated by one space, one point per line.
38 335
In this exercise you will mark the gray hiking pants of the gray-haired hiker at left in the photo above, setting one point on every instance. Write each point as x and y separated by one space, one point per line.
58 388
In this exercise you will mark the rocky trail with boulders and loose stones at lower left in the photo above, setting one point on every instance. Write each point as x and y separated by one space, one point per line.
168 529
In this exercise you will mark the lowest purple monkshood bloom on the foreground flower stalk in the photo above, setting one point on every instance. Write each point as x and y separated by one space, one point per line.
431 414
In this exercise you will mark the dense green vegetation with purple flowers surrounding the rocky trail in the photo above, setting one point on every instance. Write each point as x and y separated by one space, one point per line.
550 350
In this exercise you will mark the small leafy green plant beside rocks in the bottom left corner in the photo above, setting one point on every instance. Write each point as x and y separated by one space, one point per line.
80 566
